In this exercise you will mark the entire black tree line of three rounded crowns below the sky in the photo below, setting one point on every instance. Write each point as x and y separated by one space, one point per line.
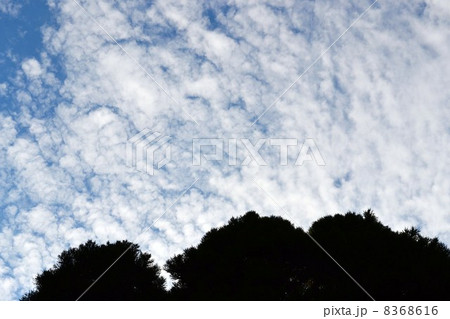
263 258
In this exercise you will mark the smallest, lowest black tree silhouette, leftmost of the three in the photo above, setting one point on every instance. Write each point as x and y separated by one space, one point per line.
133 277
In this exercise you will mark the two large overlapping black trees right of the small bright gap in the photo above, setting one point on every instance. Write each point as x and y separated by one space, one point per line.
267 258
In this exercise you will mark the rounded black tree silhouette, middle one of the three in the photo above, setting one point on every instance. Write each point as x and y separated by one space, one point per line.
250 258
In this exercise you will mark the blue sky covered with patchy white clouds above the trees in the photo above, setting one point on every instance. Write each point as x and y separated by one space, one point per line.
359 92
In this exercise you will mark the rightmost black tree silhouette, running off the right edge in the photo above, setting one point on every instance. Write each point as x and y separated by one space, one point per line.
389 265
